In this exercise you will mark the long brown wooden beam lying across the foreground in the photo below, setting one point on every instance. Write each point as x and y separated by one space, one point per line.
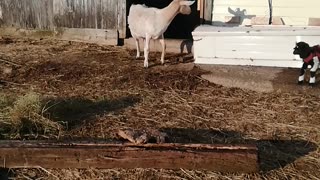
222 158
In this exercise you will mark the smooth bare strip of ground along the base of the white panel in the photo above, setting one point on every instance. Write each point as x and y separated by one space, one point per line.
260 79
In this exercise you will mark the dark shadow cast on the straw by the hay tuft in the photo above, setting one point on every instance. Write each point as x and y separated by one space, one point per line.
74 112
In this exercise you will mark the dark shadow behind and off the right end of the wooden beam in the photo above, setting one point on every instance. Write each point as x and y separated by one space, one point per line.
273 154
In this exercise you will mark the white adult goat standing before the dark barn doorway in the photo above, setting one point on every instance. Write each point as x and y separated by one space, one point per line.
147 23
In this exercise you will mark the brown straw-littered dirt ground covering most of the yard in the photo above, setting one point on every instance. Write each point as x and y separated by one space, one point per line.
100 89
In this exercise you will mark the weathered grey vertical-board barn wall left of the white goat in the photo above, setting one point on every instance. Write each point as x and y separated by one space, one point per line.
56 14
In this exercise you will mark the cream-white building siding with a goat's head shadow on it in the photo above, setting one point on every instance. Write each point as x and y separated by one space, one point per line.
290 12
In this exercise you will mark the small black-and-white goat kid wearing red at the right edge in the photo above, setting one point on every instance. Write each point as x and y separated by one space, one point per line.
310 56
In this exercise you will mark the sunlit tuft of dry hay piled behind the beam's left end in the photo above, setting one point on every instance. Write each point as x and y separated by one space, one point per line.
24 117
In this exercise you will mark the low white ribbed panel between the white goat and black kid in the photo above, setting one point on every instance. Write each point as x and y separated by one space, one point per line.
258 46
